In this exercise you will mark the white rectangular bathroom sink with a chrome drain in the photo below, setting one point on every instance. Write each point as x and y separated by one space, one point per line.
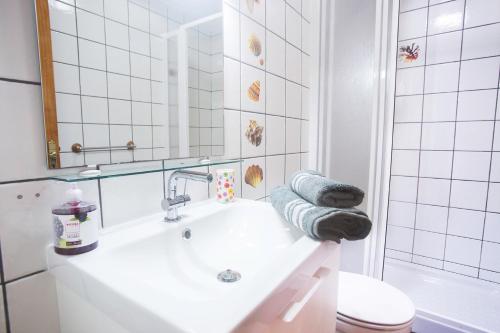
151 276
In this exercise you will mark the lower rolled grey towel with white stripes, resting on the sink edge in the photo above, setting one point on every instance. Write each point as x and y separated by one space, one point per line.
321 223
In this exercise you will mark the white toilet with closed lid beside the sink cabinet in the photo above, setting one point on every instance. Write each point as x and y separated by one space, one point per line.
367 305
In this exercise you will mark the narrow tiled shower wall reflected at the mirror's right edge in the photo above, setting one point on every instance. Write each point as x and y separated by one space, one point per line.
206 90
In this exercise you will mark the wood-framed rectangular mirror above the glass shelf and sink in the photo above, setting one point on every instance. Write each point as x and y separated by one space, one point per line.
131 80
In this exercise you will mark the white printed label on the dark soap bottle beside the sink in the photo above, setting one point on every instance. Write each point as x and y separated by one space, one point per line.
73 231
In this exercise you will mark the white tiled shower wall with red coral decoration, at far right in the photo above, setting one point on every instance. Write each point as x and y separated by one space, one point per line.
444 209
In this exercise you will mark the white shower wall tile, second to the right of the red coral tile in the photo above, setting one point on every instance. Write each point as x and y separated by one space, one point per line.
481 42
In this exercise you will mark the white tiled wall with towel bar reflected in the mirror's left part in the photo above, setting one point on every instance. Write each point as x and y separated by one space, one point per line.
109 78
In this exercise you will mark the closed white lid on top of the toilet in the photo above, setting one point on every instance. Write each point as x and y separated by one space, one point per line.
373 301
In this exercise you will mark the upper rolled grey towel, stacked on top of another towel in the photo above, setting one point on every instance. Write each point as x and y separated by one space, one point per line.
322 191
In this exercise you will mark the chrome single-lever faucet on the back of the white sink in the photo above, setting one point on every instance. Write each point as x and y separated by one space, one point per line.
174 201
